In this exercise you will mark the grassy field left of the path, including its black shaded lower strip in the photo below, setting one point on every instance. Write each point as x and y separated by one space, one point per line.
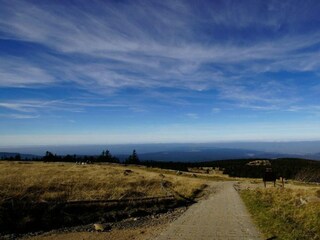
42 196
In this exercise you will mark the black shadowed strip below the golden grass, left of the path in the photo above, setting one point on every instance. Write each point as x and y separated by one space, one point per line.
25 216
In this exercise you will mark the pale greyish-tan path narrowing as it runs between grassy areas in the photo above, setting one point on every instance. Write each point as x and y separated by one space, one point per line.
221 216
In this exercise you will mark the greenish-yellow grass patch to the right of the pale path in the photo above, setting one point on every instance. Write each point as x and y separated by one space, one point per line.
285 213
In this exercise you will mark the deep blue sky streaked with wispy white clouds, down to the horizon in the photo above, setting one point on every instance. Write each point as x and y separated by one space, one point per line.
103 72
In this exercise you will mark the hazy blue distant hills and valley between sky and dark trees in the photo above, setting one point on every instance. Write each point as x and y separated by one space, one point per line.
182 152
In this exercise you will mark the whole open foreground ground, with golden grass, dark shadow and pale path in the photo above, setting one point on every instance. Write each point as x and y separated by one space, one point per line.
65 200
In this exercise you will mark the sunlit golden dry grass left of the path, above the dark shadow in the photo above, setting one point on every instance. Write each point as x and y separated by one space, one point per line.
66 181
